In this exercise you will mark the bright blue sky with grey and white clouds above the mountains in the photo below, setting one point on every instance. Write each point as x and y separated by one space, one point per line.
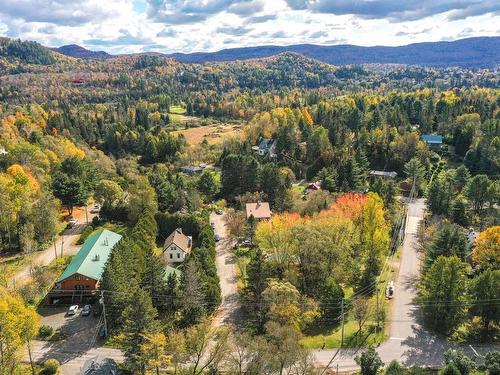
129 26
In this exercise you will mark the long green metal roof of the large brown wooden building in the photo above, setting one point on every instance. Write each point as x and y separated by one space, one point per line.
92 257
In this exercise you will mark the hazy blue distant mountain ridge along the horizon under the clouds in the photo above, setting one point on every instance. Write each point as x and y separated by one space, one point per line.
480 52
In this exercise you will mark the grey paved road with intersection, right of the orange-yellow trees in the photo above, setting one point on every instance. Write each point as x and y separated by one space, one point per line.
409 342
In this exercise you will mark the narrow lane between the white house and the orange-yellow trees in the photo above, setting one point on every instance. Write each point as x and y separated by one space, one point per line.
226 269
